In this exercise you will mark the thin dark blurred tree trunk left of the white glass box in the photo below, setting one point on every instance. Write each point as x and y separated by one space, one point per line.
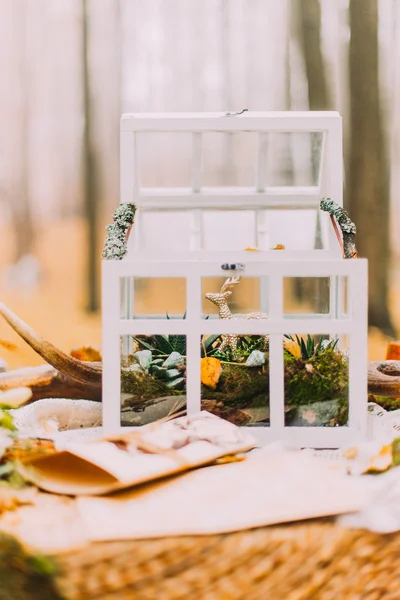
90 176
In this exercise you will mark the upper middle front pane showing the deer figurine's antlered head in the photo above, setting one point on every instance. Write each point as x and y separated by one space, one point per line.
225 296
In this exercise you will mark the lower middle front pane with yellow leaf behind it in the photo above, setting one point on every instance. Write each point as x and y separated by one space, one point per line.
235 378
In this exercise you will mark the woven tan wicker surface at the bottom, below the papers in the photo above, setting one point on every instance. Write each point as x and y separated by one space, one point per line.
312 561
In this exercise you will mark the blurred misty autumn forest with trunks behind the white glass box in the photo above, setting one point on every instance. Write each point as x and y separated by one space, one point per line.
69 68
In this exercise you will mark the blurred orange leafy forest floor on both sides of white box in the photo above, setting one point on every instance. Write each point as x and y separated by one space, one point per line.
56 307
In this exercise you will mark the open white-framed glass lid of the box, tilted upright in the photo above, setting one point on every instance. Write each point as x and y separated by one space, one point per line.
215 182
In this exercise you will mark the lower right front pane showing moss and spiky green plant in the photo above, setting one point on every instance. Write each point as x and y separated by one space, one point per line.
316 380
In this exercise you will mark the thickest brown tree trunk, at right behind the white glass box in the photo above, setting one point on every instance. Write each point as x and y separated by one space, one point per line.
368 198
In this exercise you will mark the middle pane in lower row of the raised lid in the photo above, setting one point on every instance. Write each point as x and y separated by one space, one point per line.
229 229
